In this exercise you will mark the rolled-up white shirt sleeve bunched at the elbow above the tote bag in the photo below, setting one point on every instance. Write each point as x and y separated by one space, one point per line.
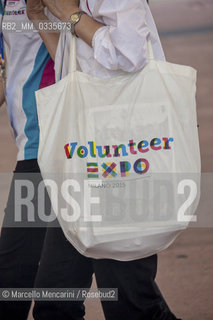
122 43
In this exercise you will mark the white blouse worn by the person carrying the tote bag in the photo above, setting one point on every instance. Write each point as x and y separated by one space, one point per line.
120 45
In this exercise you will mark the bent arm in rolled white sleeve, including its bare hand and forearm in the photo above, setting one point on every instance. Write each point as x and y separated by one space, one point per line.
119 42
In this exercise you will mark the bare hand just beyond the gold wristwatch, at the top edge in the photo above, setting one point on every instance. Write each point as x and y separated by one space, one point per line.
62 9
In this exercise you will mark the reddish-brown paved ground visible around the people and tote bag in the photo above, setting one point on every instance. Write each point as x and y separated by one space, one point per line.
185 273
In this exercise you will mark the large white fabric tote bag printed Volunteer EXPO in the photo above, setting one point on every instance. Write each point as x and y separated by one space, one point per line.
121 152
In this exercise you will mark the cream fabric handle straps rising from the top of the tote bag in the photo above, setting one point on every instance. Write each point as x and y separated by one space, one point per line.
73 55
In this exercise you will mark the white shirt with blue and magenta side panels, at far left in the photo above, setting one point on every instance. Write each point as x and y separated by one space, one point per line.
29 67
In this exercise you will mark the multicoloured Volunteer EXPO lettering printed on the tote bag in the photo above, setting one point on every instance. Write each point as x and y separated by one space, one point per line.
113 169
